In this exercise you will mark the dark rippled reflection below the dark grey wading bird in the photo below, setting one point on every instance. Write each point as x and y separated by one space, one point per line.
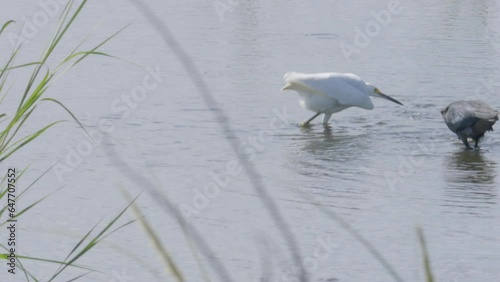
471 179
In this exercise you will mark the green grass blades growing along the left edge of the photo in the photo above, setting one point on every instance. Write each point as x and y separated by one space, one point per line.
36 88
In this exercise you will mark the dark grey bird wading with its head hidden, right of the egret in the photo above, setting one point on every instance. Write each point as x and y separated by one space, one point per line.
469 119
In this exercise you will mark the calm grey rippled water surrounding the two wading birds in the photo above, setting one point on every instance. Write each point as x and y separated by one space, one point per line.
384 171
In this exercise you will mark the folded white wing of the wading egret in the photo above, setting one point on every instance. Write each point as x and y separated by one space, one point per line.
347 89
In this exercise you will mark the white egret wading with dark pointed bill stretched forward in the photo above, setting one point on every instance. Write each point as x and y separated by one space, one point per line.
328 93
